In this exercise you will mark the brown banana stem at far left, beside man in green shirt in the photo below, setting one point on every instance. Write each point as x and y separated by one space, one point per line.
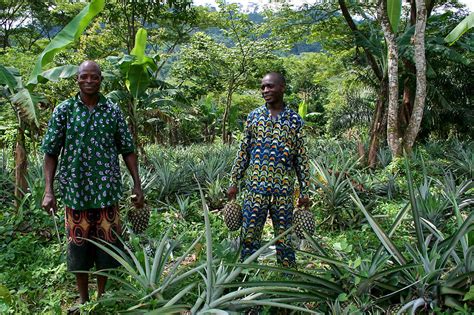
21 167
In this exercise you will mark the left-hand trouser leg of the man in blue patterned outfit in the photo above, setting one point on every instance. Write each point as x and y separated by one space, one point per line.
254 215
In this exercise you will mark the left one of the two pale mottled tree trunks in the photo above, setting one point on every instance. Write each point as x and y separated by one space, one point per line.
393 133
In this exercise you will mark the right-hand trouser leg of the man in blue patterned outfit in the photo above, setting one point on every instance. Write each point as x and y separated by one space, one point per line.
281 212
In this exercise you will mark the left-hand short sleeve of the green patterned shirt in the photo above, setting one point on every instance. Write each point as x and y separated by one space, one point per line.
55 136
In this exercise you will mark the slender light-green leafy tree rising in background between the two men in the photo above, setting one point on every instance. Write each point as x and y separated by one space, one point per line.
226 67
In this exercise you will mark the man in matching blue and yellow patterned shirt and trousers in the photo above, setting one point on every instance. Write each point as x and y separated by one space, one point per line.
273 154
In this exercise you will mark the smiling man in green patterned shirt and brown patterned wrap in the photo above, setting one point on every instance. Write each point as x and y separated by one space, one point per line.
85 135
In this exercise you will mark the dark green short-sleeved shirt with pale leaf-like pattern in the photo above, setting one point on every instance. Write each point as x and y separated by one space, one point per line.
89 142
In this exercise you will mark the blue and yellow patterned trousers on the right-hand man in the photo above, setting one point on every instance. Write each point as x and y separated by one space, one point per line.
255 211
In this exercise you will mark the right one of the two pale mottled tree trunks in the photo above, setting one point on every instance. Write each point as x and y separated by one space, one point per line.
420 64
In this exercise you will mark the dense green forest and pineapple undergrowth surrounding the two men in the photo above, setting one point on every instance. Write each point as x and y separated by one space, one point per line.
385 89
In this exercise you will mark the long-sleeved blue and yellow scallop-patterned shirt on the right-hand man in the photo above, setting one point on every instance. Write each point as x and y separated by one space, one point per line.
273 153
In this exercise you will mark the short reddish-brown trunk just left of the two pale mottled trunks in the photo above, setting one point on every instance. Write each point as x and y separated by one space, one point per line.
378 125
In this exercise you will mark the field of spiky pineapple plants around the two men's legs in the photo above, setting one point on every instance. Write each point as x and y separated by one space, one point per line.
396 237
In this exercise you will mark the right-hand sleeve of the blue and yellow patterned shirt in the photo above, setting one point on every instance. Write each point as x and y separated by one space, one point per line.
302 162
